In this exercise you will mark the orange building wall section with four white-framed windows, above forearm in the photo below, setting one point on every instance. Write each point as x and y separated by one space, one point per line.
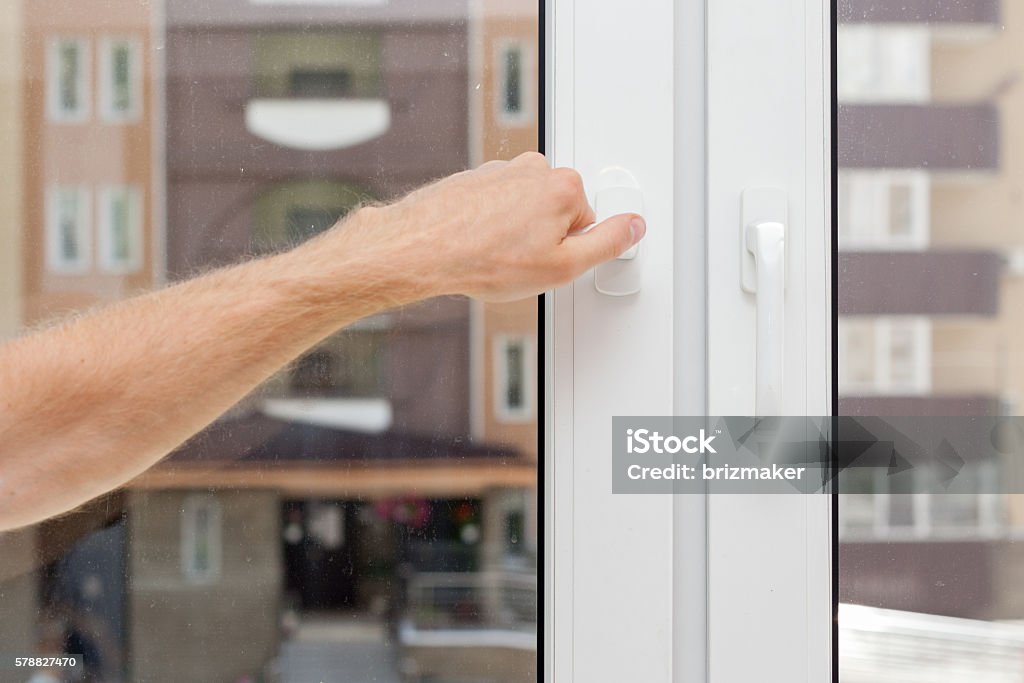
90 166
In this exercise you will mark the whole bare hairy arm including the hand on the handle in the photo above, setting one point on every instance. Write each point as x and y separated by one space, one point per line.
89 405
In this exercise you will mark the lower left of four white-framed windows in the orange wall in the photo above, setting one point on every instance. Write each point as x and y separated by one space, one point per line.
68 231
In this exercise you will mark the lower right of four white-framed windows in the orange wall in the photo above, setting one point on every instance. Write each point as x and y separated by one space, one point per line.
120 229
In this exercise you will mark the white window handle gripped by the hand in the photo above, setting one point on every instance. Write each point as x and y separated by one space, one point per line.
619 193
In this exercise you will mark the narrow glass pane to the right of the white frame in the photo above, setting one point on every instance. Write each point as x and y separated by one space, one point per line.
930 262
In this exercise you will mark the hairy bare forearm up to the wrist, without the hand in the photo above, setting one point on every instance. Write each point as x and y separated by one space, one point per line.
140 378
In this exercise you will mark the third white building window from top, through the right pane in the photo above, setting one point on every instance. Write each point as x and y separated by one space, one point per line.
885 356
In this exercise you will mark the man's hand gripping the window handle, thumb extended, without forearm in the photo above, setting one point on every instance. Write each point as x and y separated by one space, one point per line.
504 232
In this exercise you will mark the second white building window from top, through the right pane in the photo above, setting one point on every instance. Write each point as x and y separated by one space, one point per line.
884 211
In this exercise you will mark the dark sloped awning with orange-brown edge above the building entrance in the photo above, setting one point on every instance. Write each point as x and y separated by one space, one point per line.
260 452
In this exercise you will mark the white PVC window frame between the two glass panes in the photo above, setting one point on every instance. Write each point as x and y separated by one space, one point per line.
699 102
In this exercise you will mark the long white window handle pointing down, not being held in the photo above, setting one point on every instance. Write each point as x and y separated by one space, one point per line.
764 275
